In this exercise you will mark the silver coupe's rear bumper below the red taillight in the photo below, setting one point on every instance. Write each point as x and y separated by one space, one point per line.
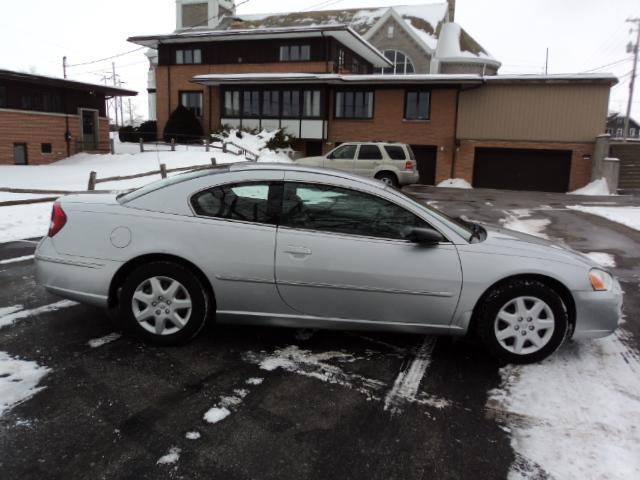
84 280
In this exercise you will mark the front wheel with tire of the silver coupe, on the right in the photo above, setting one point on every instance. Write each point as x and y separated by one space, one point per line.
519 306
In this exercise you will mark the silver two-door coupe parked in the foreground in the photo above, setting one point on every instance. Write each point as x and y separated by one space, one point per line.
301 247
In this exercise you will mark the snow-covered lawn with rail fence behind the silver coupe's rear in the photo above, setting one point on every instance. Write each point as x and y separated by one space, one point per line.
28 221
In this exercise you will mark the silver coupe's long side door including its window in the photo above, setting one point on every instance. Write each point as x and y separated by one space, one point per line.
343 254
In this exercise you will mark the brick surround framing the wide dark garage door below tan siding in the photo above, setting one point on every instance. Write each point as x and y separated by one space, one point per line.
580 157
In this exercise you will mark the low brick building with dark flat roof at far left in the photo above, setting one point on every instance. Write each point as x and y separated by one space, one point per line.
44 119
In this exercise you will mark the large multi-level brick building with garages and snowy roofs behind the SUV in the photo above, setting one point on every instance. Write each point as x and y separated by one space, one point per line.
326 83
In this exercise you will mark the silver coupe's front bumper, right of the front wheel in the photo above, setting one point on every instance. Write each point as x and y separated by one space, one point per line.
598 313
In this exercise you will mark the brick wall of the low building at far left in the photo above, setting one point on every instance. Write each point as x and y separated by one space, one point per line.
34 129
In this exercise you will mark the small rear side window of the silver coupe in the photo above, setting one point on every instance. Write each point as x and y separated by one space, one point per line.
248 202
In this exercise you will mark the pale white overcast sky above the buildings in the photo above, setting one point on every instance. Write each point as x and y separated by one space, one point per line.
581 35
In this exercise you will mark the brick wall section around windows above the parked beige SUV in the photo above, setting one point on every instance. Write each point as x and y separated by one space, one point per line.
388 124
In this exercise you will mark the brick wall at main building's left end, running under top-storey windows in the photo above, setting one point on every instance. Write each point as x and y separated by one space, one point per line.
170 81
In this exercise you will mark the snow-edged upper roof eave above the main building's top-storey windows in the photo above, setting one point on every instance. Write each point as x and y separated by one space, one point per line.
343 33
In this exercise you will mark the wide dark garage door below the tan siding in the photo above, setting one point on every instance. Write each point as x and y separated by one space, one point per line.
522 169
